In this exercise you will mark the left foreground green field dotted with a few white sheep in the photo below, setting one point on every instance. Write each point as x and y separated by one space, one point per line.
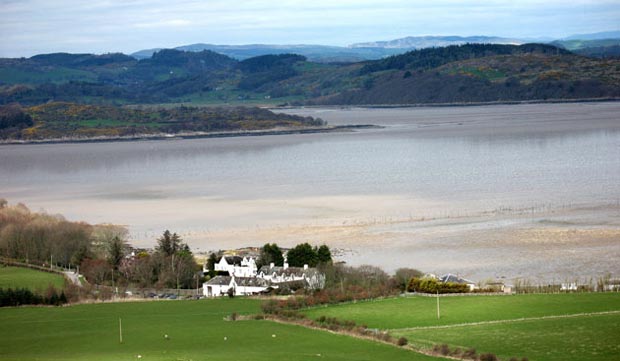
196 330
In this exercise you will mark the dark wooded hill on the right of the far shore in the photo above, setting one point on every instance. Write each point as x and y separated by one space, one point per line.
484 74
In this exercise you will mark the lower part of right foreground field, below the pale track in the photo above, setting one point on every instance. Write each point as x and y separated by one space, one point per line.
584 338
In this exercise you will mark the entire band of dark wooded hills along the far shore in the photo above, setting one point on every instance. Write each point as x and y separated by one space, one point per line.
453 74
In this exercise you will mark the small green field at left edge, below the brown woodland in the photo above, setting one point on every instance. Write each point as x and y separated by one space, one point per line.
18 277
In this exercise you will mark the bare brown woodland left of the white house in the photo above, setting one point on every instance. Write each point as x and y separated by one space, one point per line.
100 251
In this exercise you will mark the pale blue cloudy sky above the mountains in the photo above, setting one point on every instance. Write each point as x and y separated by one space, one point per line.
29 27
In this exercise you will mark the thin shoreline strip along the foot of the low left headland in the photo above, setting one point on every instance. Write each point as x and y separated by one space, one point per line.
195 135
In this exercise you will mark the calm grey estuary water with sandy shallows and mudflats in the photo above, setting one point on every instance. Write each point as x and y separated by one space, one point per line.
445 189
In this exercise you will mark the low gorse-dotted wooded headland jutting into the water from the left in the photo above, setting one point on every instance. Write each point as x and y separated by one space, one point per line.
70 120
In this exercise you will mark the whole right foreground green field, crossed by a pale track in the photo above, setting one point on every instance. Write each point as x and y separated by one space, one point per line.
579 337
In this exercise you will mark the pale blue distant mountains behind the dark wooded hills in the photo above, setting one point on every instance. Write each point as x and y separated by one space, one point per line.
375 49
